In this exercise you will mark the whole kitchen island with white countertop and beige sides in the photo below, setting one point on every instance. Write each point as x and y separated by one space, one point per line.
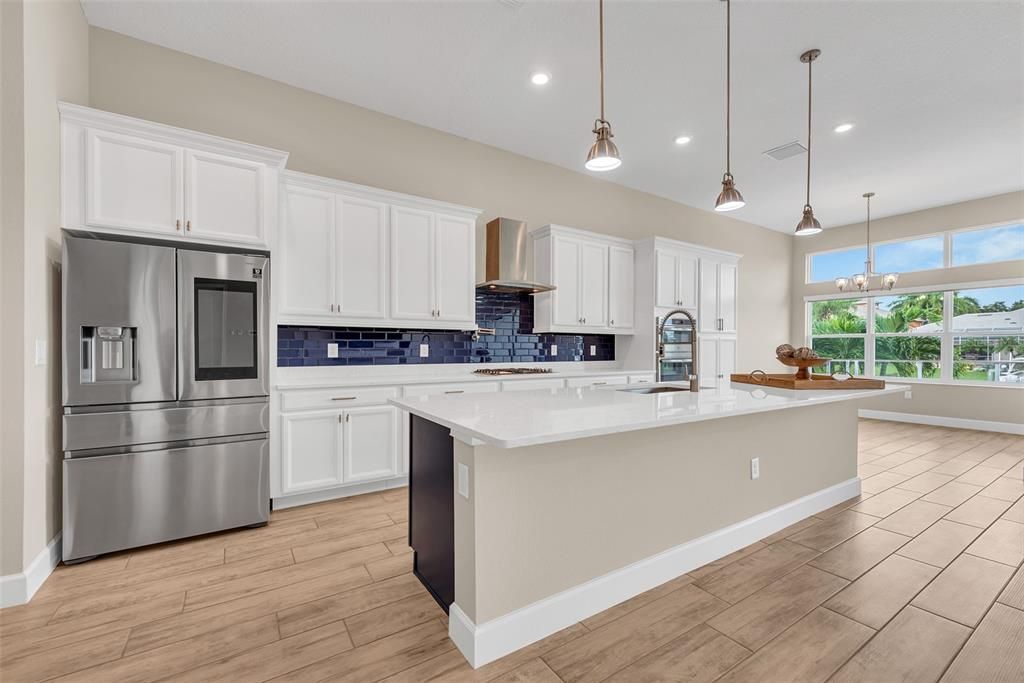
531 511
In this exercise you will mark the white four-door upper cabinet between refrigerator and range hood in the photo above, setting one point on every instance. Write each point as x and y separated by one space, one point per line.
383 260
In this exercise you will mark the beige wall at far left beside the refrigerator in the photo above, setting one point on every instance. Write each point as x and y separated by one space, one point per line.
55 67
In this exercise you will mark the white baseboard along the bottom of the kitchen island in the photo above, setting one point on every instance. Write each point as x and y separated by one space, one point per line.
486 643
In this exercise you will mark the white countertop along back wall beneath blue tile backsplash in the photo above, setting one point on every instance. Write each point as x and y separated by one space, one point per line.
428 376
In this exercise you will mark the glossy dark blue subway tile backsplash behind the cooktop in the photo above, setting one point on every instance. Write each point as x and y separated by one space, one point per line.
511 316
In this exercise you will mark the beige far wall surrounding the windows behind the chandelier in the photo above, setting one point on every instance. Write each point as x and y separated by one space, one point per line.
996 404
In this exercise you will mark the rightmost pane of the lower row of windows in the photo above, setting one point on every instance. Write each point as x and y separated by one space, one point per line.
989 335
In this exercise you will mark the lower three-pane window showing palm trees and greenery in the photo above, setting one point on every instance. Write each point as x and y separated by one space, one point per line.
972 335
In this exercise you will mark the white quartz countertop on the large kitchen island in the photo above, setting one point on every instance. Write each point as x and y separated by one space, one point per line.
517 419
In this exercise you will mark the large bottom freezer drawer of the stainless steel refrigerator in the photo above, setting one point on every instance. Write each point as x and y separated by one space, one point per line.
124 501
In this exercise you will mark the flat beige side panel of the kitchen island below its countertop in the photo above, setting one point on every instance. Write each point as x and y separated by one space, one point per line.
543 520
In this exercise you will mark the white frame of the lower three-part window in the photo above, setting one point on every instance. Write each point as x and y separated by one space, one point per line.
947 335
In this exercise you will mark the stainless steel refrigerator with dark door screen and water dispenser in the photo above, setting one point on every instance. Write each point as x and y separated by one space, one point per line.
165 393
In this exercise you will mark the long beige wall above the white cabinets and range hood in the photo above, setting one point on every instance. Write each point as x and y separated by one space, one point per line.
339 141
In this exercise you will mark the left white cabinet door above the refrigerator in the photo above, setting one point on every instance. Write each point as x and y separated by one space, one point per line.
134 184
